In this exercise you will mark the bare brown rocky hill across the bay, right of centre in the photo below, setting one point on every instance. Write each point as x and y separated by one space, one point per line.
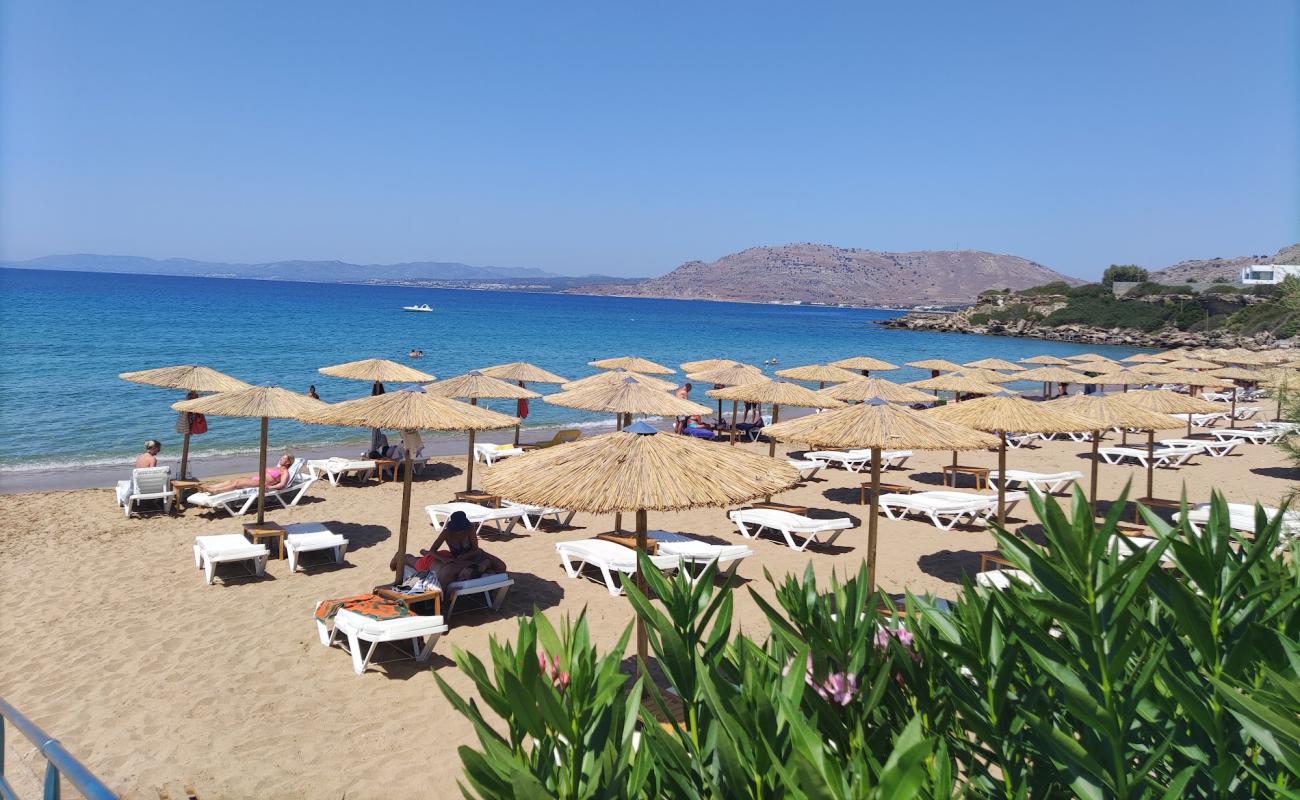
820 274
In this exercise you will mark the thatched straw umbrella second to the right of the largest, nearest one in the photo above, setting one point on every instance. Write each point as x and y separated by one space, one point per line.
1006 413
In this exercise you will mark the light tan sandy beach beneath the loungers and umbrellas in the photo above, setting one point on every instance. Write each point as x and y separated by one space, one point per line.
115 646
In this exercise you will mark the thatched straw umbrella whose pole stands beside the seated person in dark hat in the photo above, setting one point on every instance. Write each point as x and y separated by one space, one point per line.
410 410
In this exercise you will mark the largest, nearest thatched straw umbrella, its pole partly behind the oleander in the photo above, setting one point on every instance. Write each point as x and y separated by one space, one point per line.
639 470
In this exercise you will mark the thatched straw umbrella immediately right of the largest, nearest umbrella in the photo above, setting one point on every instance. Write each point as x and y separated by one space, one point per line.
879 426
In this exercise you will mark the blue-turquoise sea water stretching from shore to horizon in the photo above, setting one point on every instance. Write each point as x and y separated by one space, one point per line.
68 335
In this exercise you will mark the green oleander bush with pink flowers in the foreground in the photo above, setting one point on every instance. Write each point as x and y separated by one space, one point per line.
1171 673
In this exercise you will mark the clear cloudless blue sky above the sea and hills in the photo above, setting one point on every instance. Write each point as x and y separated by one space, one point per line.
630 137
